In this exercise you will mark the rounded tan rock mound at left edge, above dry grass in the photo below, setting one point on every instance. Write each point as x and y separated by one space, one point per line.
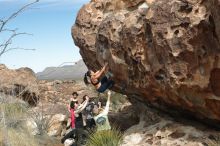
21 83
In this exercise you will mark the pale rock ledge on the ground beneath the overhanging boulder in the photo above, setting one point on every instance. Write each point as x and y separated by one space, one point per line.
156 129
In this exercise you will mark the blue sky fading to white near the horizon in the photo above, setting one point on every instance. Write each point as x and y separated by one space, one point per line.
50 22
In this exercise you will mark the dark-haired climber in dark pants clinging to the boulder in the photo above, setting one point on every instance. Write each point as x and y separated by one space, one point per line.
100 85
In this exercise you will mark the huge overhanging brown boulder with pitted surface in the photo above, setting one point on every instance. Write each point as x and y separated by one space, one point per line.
165 52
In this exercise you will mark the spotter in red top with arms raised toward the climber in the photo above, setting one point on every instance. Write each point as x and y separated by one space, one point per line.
76 122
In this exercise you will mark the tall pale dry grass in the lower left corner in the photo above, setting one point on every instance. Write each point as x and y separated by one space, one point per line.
13 131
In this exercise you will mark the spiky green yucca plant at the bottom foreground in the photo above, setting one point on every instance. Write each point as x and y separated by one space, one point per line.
111 137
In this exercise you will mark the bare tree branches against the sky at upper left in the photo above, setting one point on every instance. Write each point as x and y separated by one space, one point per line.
5 45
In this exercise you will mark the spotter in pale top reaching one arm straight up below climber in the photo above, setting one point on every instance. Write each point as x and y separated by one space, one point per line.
101 119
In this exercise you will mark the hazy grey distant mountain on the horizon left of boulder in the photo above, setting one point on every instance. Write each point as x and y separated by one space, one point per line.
66 72
